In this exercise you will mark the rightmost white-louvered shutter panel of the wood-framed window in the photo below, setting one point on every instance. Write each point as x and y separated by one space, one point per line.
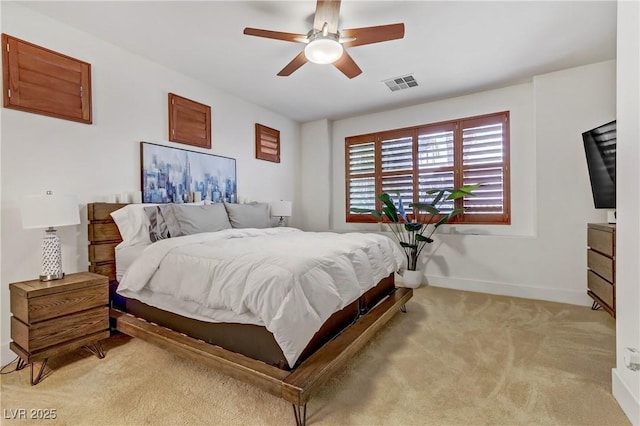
485 161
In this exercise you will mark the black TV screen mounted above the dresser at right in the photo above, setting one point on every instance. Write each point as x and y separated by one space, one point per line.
600 148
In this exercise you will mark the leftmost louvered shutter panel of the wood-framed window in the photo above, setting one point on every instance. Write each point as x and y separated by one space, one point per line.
361 180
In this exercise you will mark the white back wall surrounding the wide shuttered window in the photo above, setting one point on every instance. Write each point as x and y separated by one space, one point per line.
542 254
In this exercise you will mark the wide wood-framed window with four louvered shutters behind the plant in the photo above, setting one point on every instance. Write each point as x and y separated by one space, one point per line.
443 155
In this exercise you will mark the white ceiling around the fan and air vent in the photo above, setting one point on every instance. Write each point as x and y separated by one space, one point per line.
452 48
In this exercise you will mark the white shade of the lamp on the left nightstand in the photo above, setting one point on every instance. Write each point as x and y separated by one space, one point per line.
43 211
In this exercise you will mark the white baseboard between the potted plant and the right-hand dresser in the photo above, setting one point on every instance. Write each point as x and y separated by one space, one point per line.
573 297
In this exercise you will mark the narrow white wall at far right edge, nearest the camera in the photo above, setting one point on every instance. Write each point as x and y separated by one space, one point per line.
626 383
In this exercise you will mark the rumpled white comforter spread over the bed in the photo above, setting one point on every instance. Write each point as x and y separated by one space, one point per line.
282 278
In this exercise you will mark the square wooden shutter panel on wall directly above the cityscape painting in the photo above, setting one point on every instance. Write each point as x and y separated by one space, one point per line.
189 122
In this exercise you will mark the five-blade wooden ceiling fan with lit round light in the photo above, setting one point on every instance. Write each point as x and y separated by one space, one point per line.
325 44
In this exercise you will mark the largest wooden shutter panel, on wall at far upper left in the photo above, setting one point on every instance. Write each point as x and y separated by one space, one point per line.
41 81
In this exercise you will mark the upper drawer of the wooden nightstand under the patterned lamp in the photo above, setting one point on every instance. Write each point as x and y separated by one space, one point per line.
42 308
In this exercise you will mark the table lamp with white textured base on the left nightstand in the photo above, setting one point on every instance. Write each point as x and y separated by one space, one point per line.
49 211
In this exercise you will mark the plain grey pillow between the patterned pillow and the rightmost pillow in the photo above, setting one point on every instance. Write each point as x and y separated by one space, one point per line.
182 219
